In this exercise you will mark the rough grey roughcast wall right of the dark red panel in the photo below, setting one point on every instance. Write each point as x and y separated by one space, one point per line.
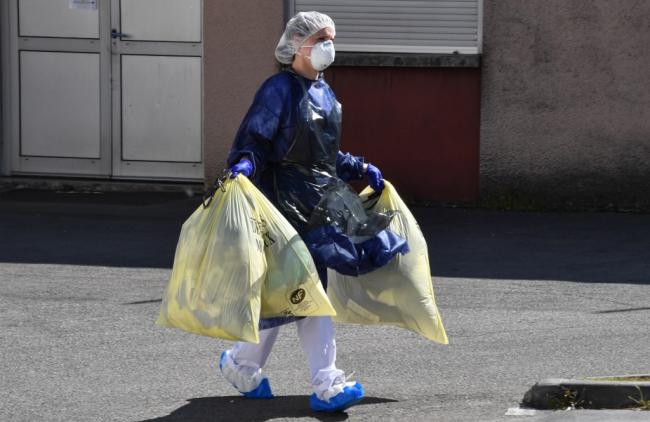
565 101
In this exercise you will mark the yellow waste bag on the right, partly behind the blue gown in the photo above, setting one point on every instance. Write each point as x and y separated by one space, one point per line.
399 293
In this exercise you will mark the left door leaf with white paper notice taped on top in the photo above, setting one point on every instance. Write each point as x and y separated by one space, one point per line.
58 64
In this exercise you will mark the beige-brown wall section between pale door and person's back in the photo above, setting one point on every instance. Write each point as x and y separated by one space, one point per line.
239 43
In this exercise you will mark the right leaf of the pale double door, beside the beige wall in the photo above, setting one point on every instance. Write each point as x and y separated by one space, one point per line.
156 89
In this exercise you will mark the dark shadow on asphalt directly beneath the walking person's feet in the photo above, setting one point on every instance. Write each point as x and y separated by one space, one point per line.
237 408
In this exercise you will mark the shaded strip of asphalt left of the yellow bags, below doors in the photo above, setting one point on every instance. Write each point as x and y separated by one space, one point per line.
111 229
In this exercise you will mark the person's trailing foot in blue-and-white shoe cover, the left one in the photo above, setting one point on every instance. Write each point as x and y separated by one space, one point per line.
247 380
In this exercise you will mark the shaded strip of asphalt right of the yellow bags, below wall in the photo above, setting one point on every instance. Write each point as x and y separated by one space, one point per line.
585 247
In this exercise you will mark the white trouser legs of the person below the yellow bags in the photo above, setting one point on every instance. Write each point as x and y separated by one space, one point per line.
317 339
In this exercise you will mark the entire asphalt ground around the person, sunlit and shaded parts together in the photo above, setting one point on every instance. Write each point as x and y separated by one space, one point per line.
524 297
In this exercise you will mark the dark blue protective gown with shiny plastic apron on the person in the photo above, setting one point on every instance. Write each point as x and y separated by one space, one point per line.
291 134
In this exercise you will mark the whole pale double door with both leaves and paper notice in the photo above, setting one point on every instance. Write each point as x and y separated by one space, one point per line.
104 88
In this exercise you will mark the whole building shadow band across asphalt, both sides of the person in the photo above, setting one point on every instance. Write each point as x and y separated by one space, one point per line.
141 230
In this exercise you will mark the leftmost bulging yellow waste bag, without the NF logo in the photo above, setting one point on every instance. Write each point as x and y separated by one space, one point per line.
219 269
